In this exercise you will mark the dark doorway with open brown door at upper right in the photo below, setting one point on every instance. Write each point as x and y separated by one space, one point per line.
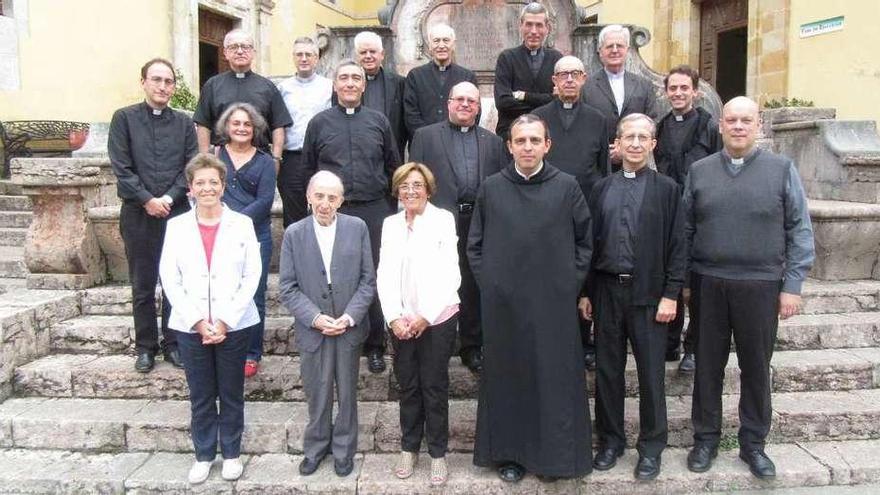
723 45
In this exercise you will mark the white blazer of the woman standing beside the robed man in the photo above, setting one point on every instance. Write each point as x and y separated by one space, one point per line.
435 264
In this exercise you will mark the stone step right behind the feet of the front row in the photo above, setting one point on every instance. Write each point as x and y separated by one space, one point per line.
141 425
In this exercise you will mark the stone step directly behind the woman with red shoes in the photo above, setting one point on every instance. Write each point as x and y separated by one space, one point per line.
107 334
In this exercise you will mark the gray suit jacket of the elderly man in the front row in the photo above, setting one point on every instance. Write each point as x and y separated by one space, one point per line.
303 282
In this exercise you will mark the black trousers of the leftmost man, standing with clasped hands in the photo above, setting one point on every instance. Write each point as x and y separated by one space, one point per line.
143 236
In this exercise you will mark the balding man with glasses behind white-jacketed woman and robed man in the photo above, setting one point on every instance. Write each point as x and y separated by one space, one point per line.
461 155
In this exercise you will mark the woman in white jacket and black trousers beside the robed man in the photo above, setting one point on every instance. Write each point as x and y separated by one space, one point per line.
417 281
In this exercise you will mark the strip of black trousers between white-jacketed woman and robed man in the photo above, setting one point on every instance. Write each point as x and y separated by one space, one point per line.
470 334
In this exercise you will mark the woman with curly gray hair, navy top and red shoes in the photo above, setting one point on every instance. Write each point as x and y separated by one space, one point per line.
250 190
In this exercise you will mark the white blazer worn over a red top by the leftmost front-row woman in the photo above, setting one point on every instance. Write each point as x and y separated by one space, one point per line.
226 291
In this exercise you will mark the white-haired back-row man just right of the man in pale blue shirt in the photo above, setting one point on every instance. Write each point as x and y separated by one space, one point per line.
384 91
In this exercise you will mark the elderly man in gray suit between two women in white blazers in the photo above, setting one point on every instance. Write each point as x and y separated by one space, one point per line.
327 282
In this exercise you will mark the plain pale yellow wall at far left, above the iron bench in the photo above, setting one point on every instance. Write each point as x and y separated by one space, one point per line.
73 64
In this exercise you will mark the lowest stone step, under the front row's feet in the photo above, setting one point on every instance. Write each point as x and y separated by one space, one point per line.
822 466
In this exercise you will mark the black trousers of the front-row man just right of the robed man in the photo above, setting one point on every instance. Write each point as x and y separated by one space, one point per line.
618 320
